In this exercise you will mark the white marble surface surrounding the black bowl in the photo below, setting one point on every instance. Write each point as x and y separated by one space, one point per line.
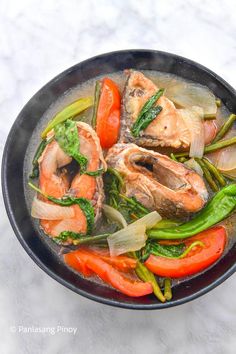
39 39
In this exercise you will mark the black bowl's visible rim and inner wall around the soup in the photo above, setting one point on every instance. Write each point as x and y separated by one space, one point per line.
12 173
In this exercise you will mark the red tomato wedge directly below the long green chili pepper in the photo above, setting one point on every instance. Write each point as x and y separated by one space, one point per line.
196 260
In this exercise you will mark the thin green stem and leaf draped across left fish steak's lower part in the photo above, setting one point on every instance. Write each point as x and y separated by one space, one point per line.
83 203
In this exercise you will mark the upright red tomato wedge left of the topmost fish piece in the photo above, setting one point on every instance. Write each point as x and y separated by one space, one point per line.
108 114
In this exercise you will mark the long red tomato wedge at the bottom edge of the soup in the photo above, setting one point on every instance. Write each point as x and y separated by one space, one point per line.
110 275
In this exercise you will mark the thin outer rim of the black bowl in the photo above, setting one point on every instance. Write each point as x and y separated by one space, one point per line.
35 258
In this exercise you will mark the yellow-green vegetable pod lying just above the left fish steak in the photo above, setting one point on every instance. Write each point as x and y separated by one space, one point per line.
68 112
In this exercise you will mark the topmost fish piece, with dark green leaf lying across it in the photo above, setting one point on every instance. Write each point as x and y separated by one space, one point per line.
168 129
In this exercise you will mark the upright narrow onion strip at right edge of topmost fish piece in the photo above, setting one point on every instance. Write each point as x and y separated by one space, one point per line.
194 120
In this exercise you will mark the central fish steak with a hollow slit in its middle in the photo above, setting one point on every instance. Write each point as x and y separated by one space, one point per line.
171 188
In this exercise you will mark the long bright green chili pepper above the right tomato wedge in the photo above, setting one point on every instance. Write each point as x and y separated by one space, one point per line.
221 205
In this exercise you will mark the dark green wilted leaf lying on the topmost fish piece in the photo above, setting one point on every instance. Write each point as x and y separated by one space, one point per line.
147 114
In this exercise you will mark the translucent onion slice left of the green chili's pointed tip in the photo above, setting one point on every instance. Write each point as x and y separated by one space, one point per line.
132 237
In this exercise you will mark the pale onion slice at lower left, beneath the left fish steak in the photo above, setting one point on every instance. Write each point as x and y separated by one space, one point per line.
46 211
